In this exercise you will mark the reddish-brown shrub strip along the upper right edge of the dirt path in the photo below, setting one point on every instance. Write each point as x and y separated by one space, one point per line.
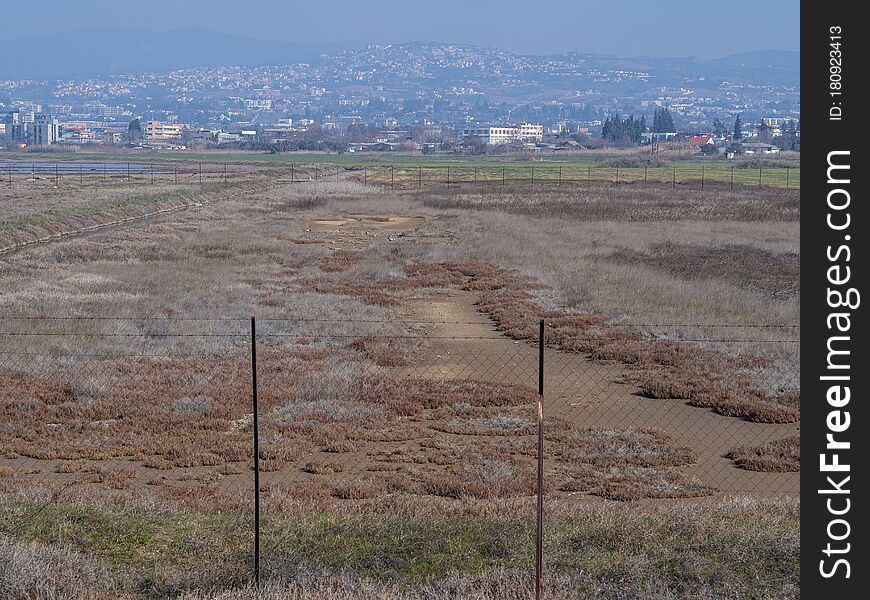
661 369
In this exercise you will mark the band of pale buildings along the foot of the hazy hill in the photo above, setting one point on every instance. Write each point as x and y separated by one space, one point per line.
29 126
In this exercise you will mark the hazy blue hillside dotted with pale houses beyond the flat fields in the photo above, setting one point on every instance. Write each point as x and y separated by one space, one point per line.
412 98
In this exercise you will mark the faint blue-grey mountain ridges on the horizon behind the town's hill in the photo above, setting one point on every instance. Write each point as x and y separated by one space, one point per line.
104 52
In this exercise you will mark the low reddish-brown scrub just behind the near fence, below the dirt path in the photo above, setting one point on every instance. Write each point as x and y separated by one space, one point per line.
324 411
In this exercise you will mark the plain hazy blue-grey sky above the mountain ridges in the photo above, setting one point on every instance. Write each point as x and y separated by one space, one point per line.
621 27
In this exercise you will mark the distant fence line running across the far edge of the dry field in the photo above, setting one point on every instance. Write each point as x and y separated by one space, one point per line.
484 177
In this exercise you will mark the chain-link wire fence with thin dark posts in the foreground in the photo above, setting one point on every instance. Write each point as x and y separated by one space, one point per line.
254 418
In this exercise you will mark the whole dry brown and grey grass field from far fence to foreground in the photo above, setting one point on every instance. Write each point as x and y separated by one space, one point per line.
398 382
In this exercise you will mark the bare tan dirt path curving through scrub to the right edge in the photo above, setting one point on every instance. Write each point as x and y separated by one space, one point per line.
593 394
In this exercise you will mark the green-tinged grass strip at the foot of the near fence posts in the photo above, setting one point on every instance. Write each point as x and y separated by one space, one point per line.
735 553
